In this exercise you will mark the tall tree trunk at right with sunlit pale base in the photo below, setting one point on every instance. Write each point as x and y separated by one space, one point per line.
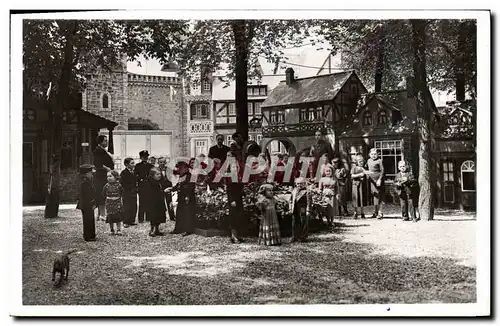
425 202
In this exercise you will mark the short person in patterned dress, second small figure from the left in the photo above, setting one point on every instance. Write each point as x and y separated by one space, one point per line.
113 194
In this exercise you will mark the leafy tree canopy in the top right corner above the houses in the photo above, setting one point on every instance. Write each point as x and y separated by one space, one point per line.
361 40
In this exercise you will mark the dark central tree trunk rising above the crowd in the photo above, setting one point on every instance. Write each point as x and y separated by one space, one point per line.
241 45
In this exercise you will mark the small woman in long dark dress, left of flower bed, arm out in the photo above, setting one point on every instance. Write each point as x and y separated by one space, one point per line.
186 201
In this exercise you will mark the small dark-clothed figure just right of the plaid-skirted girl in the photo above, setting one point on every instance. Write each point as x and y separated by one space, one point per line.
300 206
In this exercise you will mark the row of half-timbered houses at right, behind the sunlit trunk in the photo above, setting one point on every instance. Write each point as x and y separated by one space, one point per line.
354 121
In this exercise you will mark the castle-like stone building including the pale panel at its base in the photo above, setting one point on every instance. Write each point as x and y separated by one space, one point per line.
147 108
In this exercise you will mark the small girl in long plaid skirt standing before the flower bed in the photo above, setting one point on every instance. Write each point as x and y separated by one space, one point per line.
269 230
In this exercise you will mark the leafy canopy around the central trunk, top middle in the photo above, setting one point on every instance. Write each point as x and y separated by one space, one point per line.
211 44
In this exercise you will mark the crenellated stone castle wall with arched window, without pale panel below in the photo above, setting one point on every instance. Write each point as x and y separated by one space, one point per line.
158 100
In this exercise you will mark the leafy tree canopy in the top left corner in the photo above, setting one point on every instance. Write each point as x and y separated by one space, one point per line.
98 44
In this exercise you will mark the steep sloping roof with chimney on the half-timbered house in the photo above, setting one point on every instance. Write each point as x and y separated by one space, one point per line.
312 89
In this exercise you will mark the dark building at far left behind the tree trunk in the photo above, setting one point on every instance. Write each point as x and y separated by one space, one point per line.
79 132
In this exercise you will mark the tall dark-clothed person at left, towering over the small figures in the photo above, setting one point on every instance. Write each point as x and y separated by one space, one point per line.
103 162
